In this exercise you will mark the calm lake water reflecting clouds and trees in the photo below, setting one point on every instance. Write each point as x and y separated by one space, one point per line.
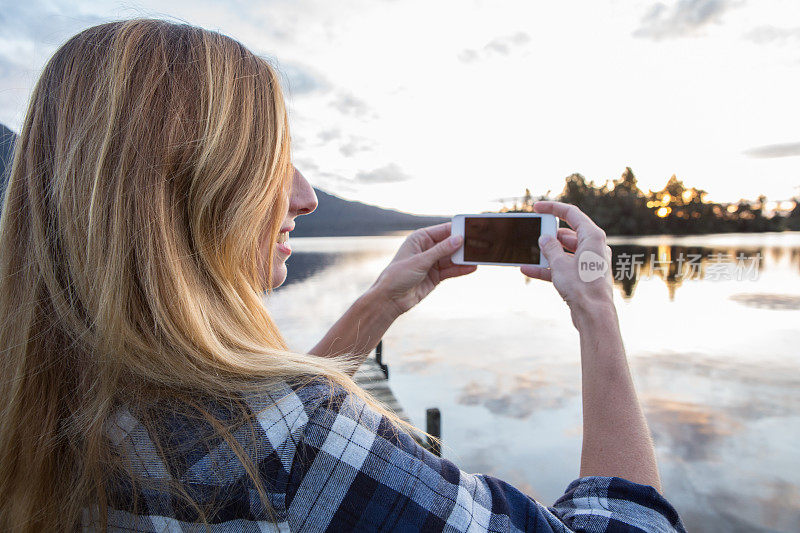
715 360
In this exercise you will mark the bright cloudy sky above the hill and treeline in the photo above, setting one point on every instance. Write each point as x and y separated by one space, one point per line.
443 106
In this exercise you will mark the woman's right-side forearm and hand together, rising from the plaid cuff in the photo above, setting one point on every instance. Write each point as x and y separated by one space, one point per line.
616 440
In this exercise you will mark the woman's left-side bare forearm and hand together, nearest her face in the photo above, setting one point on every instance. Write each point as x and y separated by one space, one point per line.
420 264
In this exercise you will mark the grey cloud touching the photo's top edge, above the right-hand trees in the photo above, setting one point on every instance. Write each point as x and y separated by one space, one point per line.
682 19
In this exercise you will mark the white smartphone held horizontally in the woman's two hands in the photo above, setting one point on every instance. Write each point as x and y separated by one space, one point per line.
510 239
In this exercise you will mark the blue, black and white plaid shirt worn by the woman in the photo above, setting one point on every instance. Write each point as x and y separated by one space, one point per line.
339 466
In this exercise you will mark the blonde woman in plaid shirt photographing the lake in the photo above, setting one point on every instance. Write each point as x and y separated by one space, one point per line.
144 385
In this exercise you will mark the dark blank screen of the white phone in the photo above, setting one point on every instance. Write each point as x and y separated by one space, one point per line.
502 239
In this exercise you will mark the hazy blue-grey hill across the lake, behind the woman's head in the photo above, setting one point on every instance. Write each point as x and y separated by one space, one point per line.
333 217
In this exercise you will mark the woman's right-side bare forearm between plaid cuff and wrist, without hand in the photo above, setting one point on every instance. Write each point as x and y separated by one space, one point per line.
616 440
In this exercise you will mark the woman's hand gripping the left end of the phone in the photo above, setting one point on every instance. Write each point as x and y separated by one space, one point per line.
422 261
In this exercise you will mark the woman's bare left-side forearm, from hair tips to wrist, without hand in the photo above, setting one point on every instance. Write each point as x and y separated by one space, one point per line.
359 329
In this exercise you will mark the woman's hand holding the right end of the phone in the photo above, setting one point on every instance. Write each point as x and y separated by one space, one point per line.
587 242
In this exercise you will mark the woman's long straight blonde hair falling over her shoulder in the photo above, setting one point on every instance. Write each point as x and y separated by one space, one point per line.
153 160
